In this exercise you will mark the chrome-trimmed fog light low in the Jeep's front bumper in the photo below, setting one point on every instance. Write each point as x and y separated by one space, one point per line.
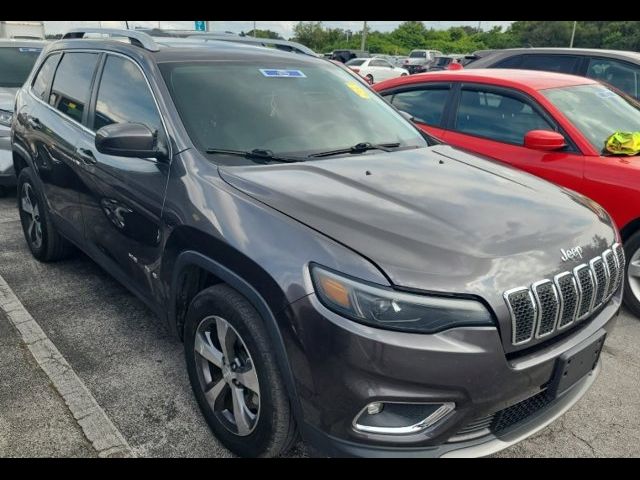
388 418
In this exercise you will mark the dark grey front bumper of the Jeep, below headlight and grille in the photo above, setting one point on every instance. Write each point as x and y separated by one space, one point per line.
340 366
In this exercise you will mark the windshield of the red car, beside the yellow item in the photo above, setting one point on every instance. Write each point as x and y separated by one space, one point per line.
596 111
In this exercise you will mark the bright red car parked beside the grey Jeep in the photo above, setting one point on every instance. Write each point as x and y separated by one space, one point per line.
550 124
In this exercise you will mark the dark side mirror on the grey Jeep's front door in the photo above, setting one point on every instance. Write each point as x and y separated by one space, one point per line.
128 140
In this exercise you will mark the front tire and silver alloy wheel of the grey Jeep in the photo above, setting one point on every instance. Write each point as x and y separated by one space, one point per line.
268 428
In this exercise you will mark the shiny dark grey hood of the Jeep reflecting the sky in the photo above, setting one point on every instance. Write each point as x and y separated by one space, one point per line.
436 219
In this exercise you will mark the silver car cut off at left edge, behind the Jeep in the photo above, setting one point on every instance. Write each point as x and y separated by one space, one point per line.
16 60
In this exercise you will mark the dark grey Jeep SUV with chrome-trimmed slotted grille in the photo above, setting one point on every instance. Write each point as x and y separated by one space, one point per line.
341 275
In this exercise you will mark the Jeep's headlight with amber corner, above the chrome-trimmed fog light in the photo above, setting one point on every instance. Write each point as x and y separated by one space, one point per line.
383 307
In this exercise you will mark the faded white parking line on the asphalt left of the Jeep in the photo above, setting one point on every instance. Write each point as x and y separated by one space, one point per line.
92 419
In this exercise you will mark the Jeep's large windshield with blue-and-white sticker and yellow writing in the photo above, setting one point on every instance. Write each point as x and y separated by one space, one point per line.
288 109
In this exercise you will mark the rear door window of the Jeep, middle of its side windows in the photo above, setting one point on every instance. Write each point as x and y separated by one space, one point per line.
72 84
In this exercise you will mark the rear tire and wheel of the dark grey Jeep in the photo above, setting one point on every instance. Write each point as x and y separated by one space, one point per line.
49 246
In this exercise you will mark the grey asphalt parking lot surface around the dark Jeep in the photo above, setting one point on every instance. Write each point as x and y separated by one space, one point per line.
136 371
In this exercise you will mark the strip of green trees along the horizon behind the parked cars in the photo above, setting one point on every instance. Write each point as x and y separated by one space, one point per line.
412 35
